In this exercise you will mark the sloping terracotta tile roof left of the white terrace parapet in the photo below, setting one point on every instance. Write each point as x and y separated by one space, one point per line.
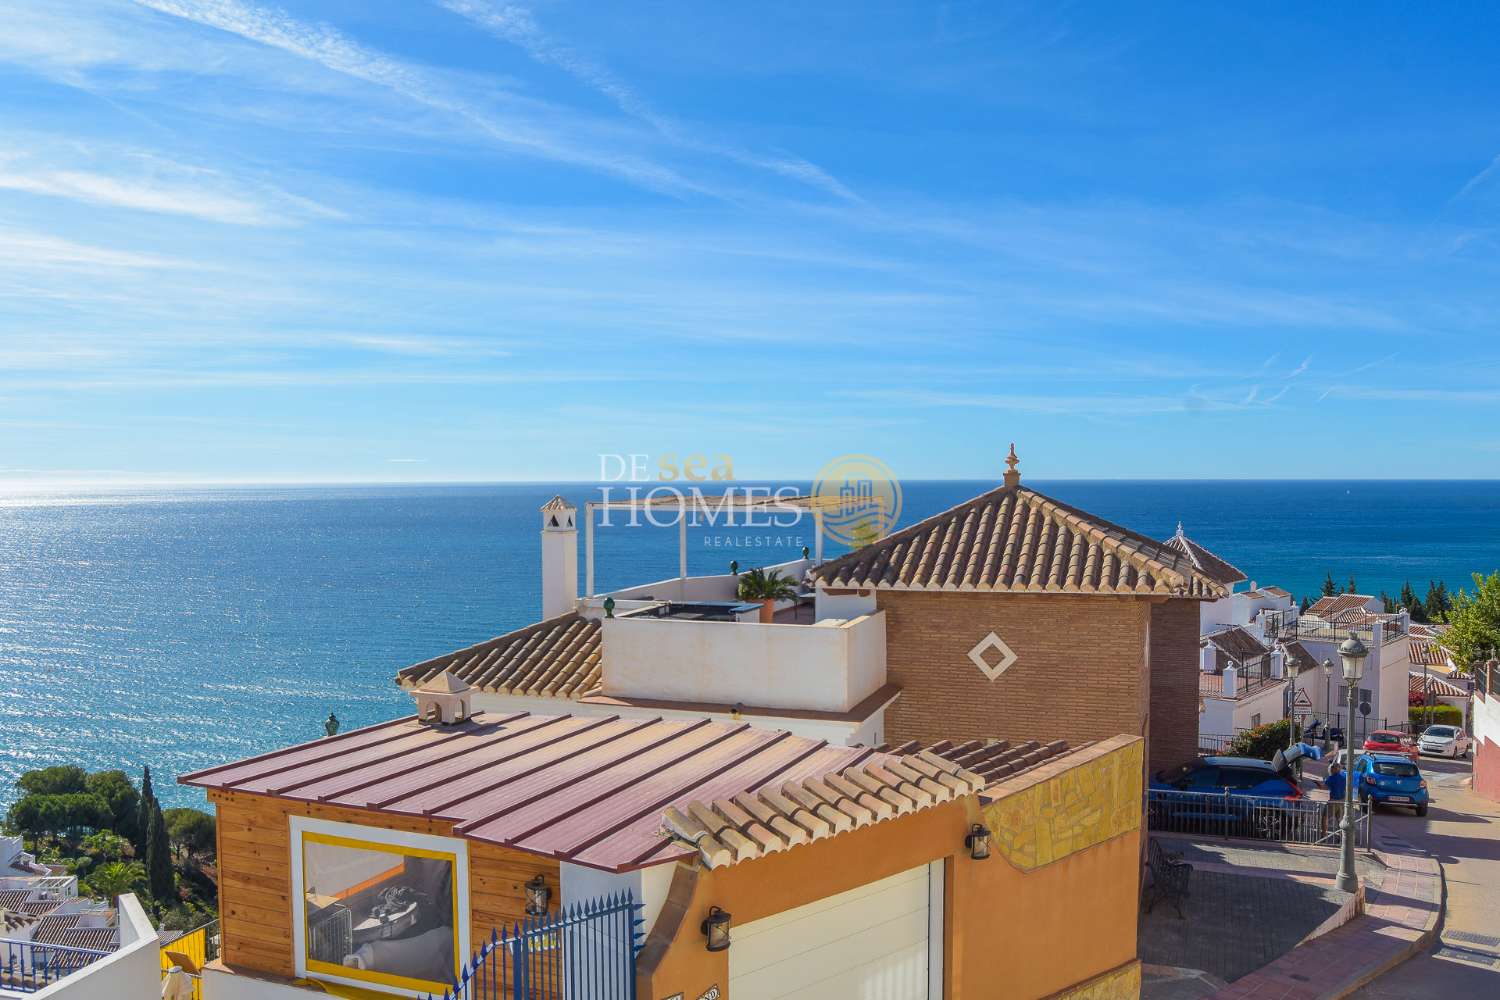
559 659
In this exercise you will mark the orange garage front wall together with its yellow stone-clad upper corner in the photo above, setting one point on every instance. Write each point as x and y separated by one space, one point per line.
1051 912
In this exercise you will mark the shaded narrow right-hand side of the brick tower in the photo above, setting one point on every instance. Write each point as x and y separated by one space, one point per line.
1174 683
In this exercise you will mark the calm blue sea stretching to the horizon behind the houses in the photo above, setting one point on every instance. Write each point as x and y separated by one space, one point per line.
185 629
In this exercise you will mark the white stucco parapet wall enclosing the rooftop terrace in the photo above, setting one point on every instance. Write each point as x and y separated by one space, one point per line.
829 666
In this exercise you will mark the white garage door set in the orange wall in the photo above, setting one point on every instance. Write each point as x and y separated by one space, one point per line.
878 942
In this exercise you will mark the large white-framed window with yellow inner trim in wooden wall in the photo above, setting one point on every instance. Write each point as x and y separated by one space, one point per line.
379 909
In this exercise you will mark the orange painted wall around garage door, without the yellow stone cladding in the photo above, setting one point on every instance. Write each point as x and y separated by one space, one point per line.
1012 935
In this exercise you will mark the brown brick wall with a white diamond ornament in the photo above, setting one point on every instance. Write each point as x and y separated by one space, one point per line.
1079 675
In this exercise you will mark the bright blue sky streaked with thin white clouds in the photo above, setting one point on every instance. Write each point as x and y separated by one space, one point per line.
479 241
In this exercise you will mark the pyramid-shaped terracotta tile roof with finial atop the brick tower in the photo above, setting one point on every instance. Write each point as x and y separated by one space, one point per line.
1016 540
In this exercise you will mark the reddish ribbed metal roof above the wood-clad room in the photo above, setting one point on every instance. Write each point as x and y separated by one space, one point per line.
584 789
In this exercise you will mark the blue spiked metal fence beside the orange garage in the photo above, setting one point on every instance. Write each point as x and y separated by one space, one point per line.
586 951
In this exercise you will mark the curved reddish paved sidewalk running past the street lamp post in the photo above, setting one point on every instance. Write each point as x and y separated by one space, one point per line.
1400 921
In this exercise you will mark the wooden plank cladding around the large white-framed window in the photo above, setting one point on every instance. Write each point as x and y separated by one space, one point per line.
256 905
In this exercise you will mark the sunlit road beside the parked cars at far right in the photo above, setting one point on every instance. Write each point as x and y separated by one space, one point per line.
1463 833
